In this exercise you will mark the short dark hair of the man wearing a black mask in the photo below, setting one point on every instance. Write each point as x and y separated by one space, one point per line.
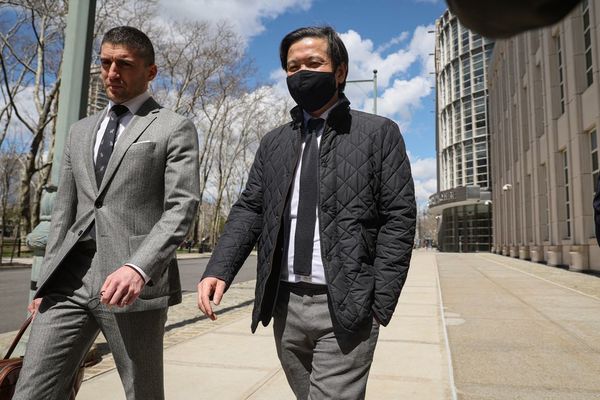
335 47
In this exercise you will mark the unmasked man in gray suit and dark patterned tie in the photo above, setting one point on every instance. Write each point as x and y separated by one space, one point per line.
127 195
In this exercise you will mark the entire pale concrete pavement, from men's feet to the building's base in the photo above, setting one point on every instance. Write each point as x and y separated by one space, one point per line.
468 326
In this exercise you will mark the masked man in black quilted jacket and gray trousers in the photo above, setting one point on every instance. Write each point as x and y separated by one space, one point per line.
330 203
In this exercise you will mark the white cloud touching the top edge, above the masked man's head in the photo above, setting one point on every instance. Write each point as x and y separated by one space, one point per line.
245 16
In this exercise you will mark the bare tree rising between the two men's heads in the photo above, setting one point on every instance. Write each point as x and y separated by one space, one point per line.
202 69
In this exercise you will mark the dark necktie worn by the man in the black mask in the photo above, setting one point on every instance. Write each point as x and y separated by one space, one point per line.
307 200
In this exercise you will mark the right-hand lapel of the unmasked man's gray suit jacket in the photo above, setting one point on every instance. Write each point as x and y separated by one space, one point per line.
138 124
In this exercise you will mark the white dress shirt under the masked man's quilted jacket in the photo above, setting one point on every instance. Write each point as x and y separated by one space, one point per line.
318 273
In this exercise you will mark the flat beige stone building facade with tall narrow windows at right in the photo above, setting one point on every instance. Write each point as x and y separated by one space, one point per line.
545 114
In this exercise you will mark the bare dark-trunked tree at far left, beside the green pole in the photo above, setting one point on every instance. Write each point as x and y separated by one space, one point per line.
33 47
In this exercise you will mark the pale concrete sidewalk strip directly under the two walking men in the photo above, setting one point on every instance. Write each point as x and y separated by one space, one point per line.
223 360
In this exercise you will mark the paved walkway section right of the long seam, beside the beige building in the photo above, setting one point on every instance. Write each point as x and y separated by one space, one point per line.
520 330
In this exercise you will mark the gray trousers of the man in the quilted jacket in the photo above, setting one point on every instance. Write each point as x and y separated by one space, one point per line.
320 360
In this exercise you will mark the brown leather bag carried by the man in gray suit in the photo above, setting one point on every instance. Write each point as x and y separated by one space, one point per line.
11 367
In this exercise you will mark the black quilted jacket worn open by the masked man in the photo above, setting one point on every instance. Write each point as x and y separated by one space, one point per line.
366 216
